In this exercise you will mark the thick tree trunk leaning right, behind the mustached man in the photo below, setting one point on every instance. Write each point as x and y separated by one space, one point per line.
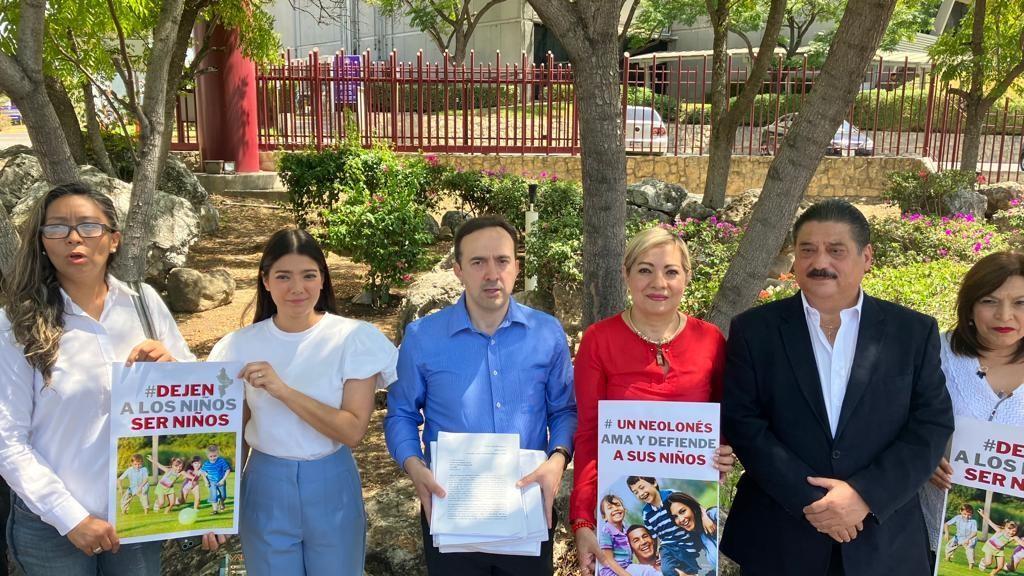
857 42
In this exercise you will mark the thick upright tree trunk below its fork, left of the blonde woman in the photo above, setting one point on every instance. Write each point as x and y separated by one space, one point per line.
604 166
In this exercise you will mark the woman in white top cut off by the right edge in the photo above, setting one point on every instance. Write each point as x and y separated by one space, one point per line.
984 360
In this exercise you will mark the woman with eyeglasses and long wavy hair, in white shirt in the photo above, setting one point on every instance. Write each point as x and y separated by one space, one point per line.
65 321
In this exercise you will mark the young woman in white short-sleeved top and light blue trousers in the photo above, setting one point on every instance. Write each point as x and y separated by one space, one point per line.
311 380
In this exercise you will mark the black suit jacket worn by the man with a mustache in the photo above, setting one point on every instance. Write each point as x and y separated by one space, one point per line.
893 428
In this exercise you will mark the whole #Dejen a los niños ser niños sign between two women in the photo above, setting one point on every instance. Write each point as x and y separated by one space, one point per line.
176 439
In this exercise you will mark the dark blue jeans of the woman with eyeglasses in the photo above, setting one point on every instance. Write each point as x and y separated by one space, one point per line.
40 551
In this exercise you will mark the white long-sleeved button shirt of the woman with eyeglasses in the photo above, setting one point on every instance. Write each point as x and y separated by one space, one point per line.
55 442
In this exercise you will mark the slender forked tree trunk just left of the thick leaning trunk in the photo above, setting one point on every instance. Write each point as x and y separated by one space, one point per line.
726 120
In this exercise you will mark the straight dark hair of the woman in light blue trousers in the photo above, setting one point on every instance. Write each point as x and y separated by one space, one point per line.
292 241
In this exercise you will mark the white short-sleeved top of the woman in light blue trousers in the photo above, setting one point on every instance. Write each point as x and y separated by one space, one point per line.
316 362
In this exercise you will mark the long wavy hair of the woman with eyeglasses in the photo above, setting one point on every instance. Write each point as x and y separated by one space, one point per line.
35 307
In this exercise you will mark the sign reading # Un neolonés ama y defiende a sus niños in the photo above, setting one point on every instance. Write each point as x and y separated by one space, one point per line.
658 490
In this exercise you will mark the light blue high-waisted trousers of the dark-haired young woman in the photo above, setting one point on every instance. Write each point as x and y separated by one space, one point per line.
303 517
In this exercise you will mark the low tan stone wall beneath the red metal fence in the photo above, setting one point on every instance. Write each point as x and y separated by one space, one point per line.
836 177
